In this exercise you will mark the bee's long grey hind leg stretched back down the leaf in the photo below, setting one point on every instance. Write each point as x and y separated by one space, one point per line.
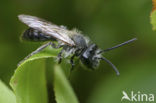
35 52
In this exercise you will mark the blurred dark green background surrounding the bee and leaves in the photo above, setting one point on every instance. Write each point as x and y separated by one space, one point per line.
107 23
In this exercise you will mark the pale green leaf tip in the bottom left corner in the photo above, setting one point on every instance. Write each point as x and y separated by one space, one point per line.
6 95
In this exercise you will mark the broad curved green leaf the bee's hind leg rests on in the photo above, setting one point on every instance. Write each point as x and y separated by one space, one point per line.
29 79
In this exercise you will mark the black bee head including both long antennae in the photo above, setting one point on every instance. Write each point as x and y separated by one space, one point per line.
92 55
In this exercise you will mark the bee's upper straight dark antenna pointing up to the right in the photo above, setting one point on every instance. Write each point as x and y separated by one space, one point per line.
119 45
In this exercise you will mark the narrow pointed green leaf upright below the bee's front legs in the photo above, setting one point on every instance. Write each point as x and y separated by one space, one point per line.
63 91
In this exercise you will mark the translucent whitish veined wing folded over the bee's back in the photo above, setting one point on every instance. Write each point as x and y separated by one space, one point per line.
47 28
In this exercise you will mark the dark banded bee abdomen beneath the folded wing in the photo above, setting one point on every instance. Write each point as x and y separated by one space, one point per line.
36 35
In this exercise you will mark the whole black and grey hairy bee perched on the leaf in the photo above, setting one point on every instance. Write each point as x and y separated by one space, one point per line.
72 42
